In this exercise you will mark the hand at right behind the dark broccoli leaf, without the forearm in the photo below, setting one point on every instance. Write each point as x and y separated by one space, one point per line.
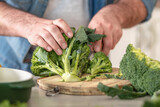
109 25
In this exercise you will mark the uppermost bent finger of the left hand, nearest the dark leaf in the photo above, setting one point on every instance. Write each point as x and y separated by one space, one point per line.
64 26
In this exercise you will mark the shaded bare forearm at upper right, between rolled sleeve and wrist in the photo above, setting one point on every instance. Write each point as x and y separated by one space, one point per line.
128 12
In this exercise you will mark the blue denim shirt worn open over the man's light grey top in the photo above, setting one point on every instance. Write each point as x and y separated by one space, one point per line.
14 49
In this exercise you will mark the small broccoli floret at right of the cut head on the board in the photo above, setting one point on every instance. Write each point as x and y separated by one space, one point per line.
99 64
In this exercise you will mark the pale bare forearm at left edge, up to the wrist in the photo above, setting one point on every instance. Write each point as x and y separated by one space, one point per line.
14 22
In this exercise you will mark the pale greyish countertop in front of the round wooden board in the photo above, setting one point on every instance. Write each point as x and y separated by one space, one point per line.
39 99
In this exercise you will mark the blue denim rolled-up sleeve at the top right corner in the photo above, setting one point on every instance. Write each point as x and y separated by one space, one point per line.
149 4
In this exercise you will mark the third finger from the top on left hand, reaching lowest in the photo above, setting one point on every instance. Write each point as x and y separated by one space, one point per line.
51 41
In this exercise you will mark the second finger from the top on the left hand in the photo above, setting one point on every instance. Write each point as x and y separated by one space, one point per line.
57 35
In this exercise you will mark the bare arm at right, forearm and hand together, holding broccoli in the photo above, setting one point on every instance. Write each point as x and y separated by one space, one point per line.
111 19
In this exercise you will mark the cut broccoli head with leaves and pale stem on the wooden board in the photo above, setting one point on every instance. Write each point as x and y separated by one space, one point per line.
74 61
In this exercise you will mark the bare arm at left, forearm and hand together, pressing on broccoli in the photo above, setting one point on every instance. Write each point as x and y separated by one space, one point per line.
40 32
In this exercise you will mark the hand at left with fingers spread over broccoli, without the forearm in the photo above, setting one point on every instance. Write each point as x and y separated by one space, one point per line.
47 34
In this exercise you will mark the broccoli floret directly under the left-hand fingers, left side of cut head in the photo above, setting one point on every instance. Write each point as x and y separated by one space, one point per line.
44 62
